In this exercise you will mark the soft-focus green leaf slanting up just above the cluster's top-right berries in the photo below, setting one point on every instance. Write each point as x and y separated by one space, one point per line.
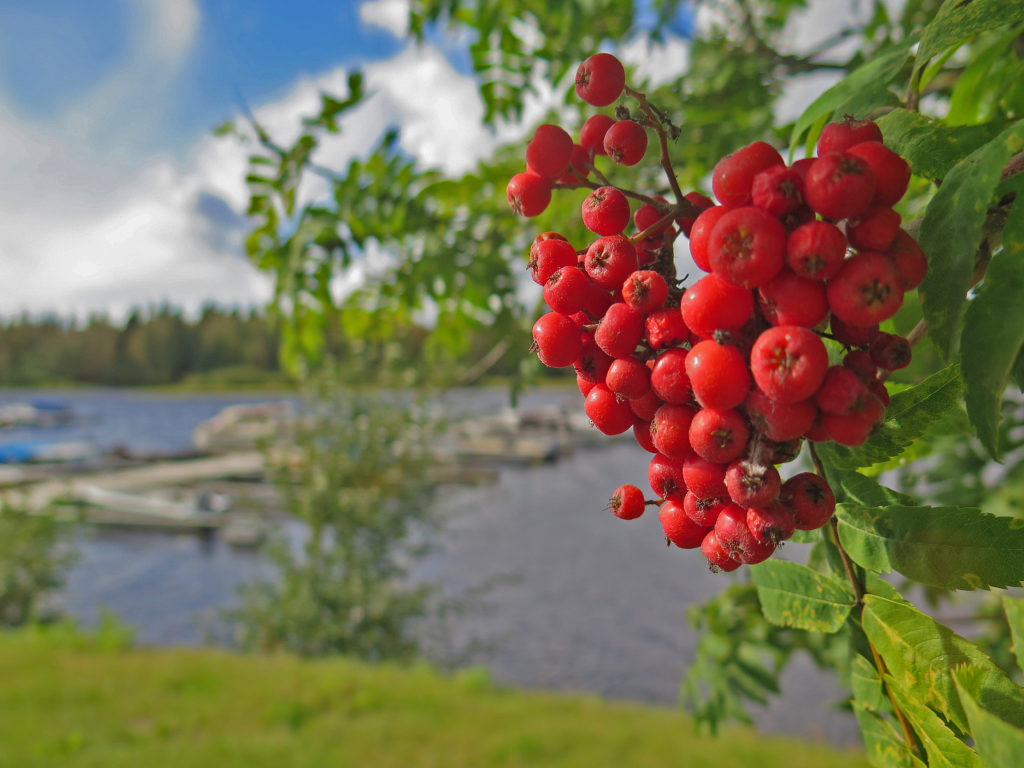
863 90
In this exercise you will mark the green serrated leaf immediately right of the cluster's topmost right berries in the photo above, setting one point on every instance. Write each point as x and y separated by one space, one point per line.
929 146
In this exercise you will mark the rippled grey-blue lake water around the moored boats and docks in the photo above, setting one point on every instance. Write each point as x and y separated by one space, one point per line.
599 605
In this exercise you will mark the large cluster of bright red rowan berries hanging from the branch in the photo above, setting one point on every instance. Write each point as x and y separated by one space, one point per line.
724 380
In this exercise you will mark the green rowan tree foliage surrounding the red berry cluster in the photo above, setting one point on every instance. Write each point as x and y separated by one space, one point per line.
925 511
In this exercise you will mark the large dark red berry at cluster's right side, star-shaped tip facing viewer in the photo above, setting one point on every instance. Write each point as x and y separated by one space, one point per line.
867 290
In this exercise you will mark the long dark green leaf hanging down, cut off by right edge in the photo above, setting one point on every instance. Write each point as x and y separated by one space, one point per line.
994 333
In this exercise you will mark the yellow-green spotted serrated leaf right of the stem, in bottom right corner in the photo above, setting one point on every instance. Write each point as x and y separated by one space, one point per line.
921 654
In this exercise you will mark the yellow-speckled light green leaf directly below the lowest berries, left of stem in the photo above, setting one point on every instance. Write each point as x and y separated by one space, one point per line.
793 595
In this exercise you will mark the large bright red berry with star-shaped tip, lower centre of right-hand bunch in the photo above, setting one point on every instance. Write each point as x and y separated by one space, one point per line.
789 363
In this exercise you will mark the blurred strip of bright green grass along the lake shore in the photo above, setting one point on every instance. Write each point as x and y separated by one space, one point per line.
73 704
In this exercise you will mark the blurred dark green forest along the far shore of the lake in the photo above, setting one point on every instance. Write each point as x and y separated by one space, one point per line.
223 348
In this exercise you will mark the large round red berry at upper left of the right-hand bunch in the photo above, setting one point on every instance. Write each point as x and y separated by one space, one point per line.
747 247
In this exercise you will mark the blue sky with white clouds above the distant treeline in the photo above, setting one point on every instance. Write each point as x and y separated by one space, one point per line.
113 190
